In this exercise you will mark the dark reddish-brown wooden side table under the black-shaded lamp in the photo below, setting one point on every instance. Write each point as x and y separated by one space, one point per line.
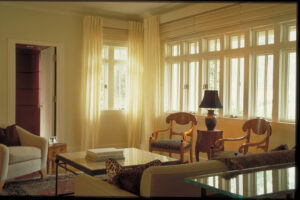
205 139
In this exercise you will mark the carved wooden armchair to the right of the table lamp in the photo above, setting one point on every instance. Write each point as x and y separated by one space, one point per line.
256 126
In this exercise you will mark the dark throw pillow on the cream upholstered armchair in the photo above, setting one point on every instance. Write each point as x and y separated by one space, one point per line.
9 136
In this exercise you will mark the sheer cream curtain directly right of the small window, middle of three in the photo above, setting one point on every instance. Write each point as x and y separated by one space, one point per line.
135 83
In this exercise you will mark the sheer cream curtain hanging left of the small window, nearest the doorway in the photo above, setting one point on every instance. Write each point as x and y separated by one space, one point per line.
90 82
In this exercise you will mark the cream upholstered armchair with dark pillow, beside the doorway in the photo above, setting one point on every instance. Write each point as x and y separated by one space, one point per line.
30 157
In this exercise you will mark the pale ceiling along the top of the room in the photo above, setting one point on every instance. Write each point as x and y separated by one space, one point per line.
118 10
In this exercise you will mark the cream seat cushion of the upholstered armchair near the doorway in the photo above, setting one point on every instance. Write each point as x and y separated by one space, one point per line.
23 153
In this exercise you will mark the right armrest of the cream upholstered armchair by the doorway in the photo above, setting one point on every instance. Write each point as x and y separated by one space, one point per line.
29 139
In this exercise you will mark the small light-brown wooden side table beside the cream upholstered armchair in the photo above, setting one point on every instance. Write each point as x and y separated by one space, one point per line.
53 150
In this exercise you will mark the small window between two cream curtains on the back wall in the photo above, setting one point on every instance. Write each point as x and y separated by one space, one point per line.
114 77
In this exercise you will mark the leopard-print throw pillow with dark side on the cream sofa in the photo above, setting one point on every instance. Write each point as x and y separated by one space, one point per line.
127 178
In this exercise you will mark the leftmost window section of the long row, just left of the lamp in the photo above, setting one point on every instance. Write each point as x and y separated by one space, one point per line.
181 77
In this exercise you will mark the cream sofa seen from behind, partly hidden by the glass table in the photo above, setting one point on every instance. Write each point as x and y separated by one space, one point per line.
168 180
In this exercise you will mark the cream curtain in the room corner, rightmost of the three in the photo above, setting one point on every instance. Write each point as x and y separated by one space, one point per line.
152 80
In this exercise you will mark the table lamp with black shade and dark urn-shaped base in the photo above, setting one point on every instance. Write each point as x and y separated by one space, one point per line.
211 100
